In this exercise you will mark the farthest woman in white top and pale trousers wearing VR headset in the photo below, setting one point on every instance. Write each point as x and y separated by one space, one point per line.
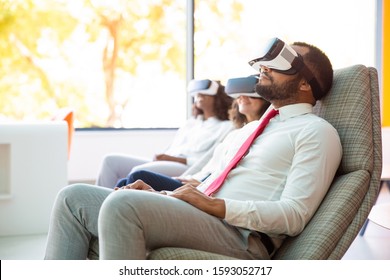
201 133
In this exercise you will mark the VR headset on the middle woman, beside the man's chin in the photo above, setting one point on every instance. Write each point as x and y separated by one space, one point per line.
242 86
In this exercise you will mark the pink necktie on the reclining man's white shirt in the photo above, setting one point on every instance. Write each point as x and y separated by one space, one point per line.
217 183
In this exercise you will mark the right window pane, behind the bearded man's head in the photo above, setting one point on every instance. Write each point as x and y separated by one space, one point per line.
227 32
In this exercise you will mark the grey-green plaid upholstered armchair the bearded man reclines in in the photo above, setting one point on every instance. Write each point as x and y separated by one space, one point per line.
353 108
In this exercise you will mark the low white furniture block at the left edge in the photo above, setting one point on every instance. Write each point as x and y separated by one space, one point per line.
33 168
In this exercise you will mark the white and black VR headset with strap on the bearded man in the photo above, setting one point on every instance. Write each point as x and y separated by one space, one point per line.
282 58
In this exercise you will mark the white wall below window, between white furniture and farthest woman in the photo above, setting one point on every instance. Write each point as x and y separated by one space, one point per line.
89 148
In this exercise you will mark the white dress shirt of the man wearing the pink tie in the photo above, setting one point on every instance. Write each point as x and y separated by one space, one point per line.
279 184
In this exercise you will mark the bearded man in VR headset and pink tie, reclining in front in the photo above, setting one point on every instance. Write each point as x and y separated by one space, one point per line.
272 192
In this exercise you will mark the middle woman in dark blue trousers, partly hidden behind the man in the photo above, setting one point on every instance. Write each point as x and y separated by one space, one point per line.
247 106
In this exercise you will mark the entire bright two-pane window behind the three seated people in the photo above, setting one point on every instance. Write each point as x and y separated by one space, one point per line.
122 63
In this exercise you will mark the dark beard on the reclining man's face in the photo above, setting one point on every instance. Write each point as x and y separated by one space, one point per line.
273 92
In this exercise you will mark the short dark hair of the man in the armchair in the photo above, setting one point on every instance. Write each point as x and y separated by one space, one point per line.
319 64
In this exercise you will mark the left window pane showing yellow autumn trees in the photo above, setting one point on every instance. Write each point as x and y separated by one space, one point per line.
117 63
